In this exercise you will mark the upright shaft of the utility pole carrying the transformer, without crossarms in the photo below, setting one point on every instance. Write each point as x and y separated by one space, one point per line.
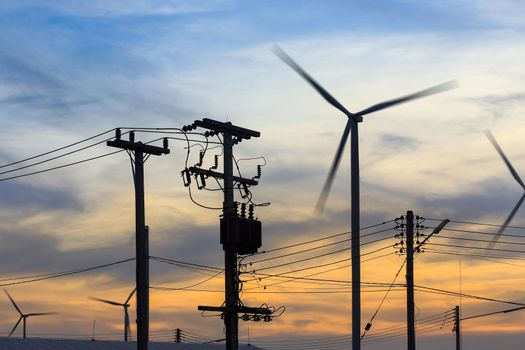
231 320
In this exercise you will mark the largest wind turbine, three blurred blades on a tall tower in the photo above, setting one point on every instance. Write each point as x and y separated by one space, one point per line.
351 126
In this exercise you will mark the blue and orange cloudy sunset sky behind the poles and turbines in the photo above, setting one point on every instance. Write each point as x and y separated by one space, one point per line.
71 70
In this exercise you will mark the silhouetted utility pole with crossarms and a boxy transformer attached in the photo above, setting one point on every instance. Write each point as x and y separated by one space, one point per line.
238 235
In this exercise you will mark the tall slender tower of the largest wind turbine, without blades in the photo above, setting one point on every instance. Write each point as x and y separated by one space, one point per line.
355 238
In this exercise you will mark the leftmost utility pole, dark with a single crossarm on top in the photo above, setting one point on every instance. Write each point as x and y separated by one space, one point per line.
138 149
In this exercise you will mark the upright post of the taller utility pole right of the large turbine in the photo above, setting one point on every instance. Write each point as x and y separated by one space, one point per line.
411 332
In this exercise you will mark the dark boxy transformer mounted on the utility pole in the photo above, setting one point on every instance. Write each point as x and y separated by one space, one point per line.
243 235
